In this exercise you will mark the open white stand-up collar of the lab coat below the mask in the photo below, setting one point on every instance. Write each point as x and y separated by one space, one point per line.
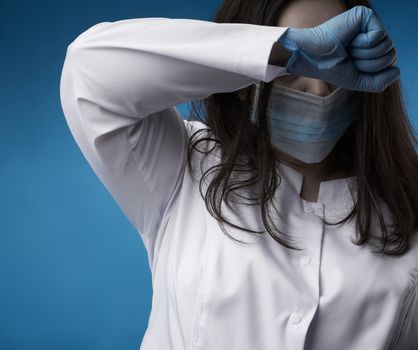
332 193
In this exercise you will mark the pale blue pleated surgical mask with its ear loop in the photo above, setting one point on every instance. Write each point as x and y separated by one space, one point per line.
307 126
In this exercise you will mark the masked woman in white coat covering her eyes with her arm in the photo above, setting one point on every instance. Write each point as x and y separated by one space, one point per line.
350 155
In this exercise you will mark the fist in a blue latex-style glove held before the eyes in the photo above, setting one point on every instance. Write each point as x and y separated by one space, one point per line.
351 50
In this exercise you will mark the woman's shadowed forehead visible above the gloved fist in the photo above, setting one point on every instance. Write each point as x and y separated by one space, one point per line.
309 13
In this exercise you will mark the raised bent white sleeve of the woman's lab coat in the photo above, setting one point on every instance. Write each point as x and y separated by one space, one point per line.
120 83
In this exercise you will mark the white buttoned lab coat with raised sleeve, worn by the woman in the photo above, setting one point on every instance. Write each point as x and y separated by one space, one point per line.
119 86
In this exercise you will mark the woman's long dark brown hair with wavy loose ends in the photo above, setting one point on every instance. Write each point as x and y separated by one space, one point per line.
379 148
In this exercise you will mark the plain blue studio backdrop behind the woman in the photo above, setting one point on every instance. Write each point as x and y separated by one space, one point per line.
74 273
